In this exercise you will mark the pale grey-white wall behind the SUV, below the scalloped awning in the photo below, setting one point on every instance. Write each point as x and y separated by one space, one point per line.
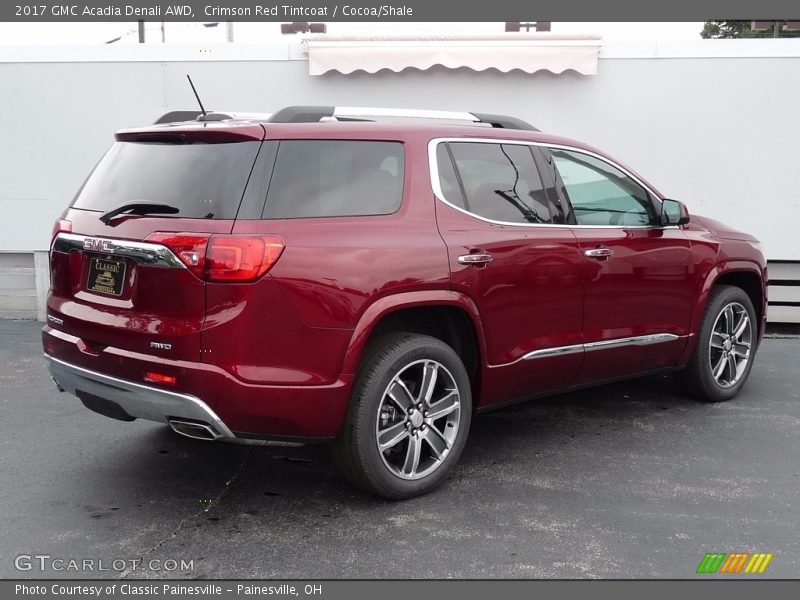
711 123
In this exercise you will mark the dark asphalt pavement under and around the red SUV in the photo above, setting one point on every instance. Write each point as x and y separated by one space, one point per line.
624 481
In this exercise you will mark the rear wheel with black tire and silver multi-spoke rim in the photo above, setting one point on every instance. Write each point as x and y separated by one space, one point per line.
420 446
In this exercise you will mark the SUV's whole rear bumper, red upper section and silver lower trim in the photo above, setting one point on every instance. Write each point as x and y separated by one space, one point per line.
113 377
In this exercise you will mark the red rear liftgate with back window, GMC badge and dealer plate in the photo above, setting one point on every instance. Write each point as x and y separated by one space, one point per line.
135 280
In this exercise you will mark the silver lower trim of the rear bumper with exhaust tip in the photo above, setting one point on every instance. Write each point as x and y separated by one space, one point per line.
134 400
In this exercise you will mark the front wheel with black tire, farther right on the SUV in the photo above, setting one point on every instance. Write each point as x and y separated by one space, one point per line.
717 373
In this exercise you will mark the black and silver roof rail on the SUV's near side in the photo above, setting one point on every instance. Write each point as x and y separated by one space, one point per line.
314 114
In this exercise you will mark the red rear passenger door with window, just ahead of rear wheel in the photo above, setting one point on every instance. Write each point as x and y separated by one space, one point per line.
510 251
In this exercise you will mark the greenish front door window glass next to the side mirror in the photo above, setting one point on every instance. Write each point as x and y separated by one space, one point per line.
601 194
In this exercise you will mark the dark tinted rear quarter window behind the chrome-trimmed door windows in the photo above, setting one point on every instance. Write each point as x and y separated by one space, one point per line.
335 178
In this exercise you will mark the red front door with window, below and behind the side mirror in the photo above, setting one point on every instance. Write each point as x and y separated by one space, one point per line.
638 284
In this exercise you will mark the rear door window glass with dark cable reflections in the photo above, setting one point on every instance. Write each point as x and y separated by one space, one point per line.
501 183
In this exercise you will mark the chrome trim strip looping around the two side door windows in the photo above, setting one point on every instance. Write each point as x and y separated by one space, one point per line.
437 188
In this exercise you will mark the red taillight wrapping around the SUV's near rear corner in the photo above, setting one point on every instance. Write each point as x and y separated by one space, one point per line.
223 258
